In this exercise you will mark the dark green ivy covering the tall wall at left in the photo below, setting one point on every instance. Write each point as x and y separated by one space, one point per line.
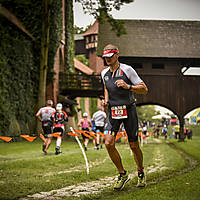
19 63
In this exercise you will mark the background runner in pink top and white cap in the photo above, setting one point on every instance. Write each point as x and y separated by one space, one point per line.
85 124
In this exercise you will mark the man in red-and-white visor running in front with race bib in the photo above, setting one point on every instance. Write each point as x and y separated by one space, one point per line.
120 82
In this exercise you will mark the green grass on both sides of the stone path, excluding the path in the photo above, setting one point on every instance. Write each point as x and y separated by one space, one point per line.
23 166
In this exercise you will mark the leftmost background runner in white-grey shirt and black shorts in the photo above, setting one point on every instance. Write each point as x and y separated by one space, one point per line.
44 115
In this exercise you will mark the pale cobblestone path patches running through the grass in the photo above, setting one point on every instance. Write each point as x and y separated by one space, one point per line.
94 187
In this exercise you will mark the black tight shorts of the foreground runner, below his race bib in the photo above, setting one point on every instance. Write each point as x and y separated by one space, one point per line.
130 124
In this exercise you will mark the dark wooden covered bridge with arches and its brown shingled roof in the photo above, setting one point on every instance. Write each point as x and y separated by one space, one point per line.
158 50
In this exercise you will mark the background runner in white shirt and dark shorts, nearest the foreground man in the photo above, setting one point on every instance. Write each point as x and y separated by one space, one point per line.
99 118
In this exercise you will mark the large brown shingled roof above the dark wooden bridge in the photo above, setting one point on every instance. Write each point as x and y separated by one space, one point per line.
154 38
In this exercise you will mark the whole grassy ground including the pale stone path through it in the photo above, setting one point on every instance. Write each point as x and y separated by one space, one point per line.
26 173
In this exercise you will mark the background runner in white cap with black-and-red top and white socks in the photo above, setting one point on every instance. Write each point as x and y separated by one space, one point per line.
58 118
